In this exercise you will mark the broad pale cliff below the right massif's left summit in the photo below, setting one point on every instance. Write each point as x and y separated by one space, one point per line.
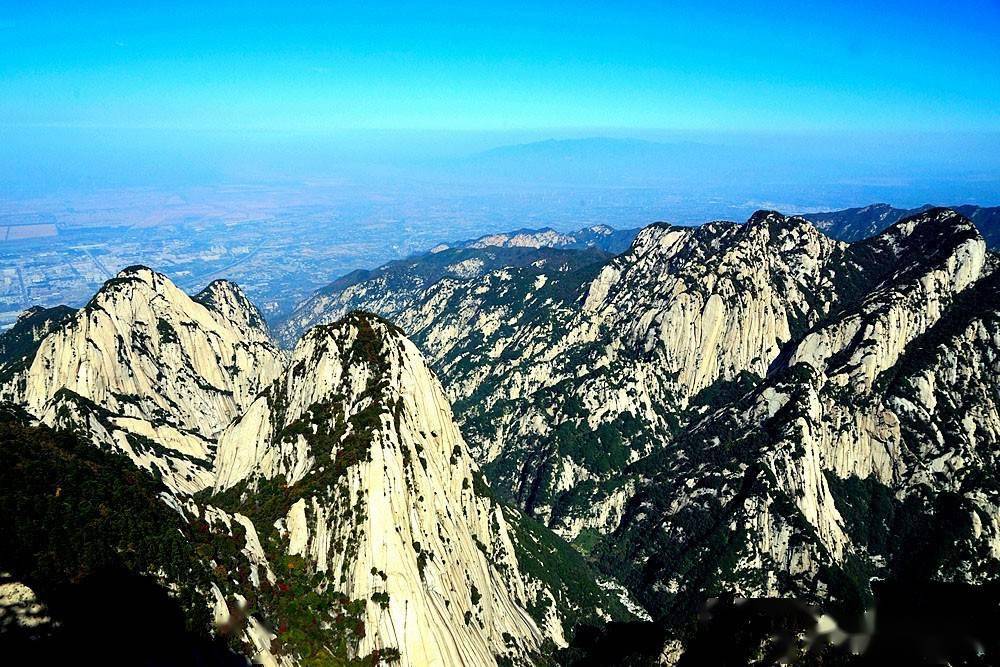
716 301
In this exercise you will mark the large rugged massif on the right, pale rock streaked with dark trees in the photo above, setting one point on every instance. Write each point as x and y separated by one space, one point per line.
757 408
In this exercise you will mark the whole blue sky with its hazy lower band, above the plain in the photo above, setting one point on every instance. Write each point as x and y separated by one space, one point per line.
119 95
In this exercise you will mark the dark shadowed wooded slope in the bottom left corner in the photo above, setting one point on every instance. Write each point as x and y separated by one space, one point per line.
89 533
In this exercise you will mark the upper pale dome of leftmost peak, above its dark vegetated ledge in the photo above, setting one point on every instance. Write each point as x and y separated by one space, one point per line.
142 337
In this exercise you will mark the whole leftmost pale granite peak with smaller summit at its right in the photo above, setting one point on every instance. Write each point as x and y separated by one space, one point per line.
152 372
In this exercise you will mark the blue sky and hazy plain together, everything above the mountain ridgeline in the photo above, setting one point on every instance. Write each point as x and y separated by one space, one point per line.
282 146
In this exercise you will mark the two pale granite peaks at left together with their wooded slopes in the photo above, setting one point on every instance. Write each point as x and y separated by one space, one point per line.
328 500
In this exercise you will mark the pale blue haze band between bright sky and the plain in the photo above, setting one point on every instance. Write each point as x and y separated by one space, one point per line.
843 169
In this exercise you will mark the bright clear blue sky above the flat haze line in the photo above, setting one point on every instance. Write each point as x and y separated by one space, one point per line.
689 66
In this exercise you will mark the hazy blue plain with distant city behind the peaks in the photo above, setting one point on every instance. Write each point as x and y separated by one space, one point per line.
278 244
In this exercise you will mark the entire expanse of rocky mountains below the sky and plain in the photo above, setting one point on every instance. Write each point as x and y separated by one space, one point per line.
676 445
